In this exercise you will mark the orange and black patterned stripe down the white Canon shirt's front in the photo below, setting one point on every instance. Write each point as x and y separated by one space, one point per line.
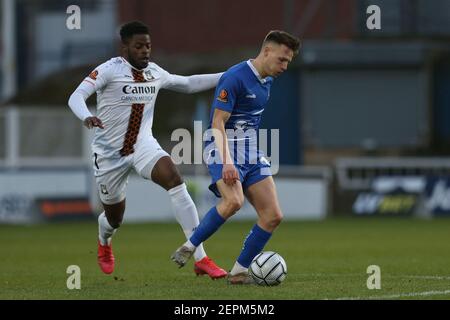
134 124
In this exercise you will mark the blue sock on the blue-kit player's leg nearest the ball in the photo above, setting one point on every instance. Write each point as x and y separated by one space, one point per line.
253 244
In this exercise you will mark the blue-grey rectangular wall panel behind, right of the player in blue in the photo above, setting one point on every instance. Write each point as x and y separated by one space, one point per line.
354 108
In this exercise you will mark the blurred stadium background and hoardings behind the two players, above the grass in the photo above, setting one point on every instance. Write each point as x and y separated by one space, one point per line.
364 115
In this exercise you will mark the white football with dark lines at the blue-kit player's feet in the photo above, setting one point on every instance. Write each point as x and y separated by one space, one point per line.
268 269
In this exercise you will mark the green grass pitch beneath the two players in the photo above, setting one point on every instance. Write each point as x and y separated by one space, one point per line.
326 260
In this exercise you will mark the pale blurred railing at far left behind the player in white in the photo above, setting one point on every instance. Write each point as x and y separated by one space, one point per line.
42 137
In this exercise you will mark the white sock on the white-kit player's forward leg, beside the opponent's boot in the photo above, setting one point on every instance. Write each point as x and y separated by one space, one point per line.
186 214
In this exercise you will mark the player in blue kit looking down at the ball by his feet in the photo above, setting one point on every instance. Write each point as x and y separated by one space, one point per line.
235 164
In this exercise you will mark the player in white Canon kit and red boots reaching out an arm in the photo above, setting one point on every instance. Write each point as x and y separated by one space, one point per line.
127 87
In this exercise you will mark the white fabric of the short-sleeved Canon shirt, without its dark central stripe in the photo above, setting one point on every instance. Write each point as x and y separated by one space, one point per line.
117 91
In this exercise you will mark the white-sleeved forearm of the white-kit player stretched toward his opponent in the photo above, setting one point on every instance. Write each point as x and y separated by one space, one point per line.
194 83
